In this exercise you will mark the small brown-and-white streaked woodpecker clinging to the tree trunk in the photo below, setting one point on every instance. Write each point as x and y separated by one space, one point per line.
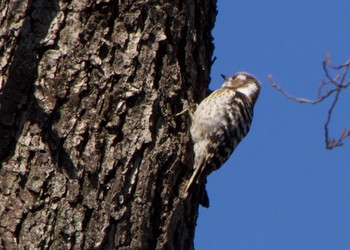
220 122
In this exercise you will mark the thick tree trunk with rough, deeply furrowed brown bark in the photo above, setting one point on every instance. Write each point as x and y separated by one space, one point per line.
92 153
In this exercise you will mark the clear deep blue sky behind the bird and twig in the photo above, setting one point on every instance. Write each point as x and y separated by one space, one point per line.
281 189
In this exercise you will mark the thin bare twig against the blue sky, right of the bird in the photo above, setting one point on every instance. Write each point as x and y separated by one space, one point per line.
337 84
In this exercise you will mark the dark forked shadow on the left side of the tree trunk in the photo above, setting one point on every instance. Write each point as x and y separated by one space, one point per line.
18 103
